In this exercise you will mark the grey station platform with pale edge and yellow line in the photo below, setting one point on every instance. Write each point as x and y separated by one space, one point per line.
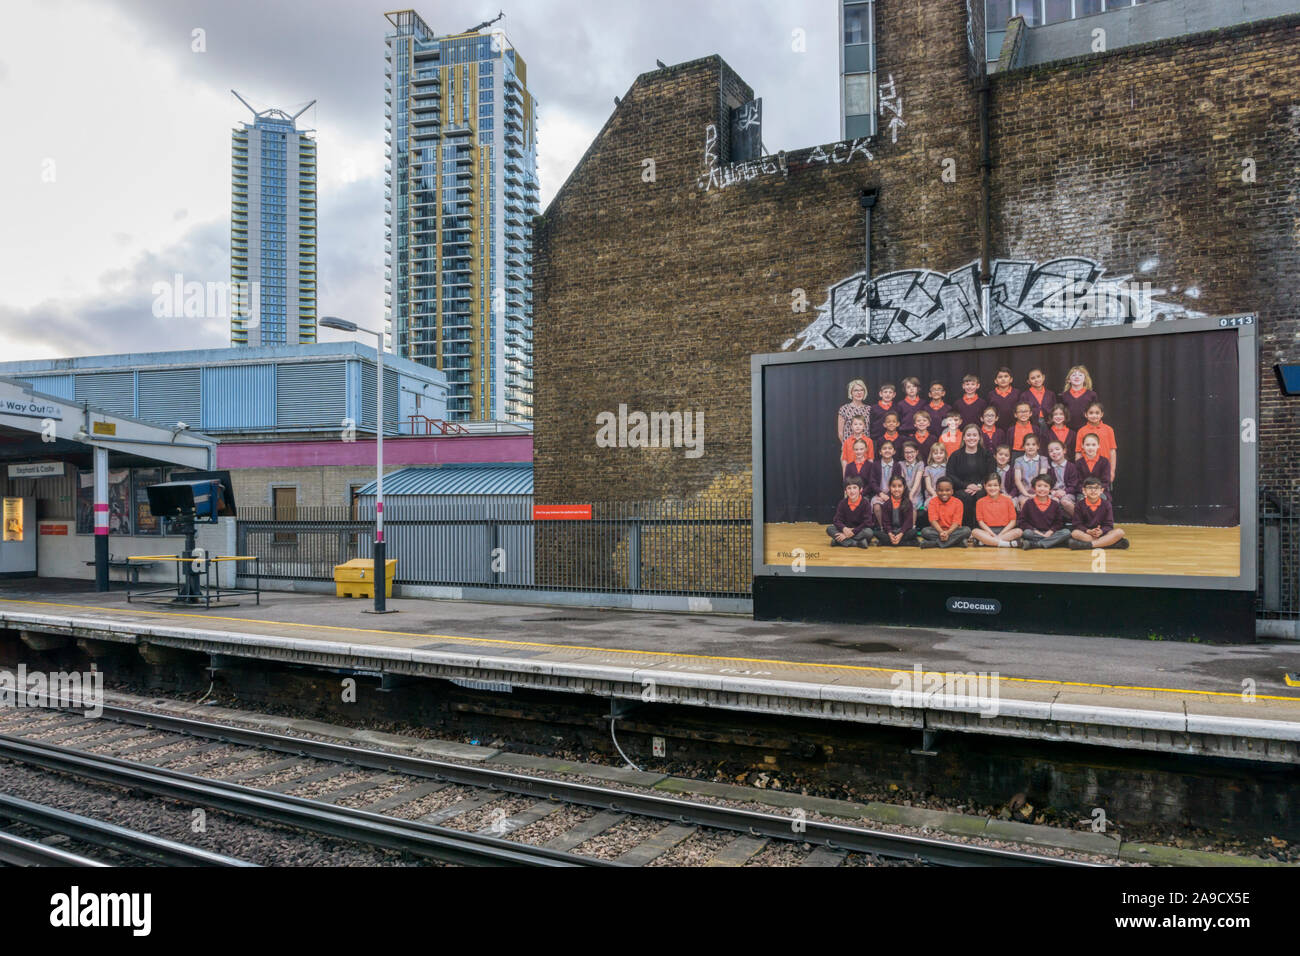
1228 702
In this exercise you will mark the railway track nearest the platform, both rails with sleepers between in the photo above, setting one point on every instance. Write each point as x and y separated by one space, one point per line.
677 819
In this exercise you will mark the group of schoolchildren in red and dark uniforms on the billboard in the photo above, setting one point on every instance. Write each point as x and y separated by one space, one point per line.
1011 469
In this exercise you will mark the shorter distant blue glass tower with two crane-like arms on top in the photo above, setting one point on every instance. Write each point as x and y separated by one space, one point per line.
272 231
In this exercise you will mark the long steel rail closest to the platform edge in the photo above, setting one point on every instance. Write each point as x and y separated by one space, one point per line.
775 827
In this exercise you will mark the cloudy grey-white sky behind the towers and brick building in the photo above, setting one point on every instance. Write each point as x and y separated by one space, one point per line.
116 168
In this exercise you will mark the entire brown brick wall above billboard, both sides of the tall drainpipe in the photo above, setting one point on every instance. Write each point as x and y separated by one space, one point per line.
656 295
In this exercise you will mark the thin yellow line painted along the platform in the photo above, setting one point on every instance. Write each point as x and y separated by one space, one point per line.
499 642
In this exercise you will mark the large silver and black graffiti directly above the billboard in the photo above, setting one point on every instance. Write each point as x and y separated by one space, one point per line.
922 305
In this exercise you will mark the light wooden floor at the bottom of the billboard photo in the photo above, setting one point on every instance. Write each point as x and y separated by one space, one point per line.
1155 550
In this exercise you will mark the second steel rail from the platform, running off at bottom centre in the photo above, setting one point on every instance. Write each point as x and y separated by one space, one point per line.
374 829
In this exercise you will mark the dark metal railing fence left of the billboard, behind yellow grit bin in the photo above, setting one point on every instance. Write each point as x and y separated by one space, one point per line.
688 548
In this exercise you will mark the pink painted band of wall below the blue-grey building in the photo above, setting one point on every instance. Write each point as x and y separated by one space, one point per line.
397 452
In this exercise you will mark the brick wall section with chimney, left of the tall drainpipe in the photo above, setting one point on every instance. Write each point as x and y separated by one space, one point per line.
656 295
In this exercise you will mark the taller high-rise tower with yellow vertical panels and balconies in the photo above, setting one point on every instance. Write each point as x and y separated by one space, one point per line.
461 198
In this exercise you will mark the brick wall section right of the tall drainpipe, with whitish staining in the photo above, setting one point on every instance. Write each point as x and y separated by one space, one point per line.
1136 158
